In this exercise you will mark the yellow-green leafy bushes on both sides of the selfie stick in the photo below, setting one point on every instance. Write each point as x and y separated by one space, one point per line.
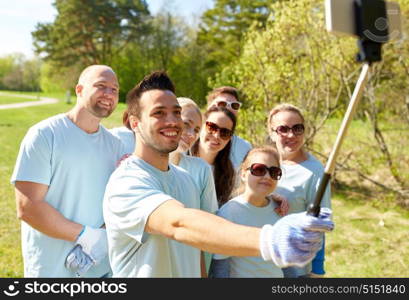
296 60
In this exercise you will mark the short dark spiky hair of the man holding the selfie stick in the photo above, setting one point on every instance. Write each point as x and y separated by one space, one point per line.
157 80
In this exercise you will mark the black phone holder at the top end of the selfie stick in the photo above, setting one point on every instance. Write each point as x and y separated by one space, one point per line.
371 25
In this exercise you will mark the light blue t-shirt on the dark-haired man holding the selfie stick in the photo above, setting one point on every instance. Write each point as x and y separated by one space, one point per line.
134 191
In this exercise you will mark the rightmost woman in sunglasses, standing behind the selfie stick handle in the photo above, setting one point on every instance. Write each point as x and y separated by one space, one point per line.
302 173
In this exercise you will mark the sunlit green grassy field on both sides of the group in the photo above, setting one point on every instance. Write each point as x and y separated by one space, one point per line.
370 237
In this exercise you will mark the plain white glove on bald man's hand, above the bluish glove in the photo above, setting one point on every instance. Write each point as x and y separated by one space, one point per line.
94 243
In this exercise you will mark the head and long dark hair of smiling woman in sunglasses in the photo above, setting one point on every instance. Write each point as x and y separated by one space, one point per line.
214 146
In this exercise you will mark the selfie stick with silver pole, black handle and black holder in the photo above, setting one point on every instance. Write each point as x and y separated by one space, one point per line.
369 51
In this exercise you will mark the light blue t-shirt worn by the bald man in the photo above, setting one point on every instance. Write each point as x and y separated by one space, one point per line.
76 167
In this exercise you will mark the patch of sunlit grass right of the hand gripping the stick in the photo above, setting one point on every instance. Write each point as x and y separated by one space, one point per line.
368 240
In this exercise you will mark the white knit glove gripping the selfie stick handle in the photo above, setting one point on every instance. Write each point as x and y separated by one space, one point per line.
294 239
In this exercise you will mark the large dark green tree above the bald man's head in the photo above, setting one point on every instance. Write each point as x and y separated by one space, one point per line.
90 32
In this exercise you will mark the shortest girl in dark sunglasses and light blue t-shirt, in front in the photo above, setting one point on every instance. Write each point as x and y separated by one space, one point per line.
259 174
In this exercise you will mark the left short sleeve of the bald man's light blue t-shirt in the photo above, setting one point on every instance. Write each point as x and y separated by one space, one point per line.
34 159
